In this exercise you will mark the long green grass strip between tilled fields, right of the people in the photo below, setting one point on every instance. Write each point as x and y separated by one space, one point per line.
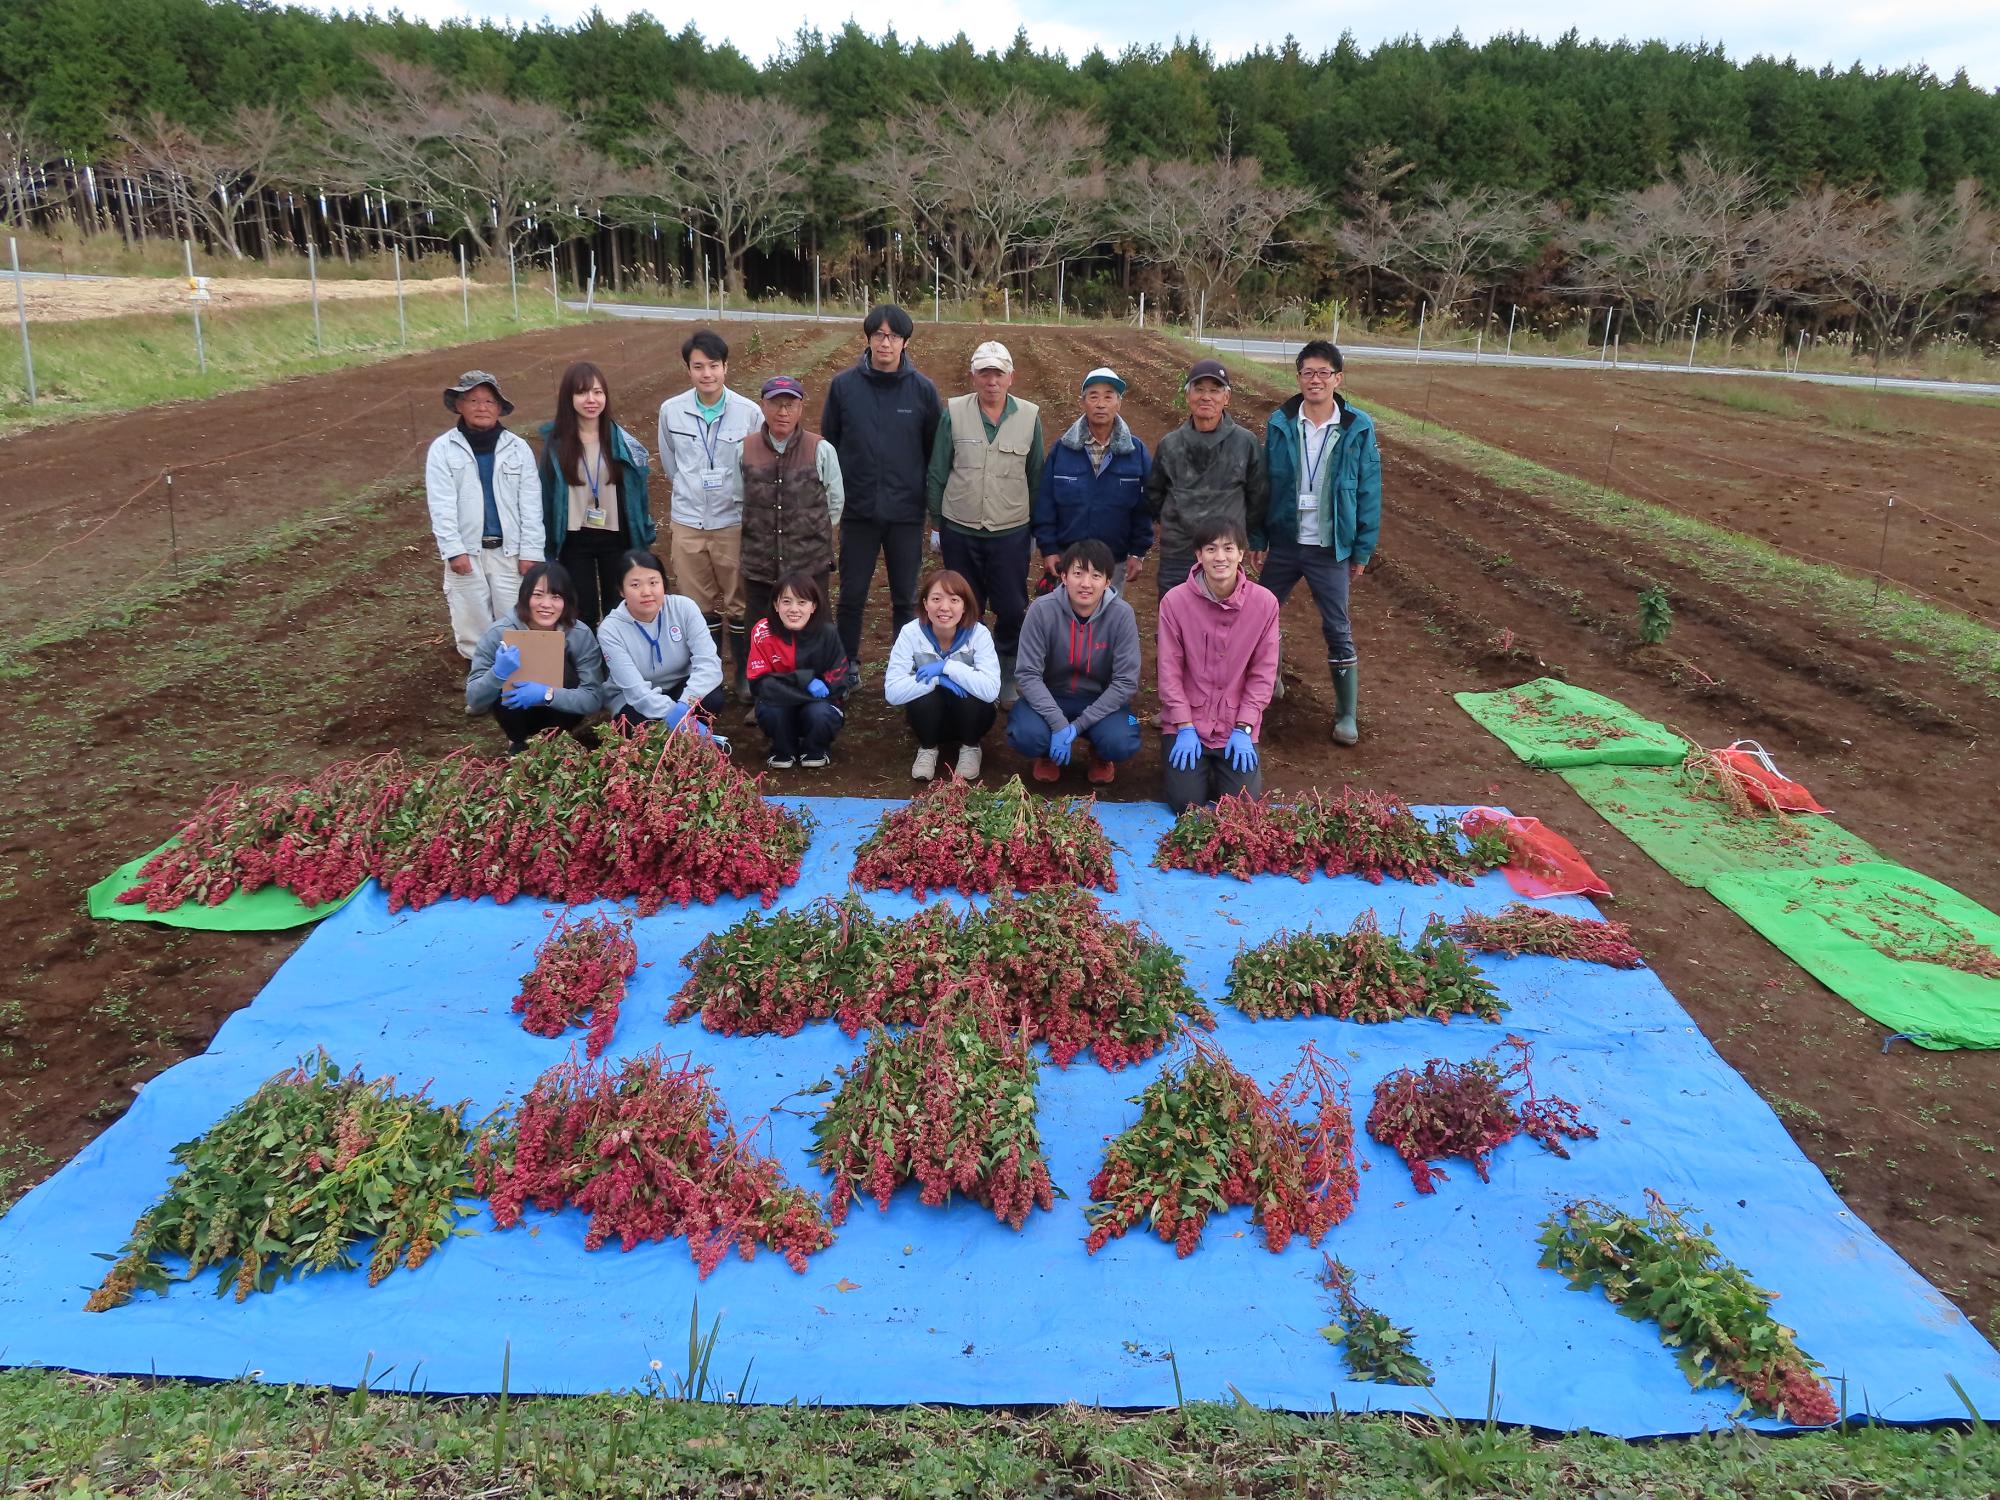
1929 631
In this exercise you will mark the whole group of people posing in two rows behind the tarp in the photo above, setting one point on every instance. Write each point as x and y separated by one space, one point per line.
1045 539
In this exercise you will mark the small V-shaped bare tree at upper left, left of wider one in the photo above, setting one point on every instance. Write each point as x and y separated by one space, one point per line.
209 177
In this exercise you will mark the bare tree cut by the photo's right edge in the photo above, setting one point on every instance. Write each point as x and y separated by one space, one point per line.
1905 259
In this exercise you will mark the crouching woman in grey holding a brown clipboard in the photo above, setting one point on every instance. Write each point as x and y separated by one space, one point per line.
541 667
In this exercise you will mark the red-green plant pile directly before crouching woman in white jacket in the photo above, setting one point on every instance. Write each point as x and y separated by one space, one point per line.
965 837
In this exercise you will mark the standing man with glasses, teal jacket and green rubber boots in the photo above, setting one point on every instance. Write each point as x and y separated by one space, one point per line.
1325 511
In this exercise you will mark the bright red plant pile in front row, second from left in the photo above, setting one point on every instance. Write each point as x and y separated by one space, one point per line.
647 1149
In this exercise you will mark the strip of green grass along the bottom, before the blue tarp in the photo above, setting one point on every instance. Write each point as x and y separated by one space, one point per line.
167 1437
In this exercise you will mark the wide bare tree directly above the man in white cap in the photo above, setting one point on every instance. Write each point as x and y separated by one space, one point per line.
997 193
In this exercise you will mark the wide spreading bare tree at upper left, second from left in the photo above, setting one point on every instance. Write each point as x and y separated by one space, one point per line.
491 167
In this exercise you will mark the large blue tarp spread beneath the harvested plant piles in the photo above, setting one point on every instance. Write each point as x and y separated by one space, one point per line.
951 1307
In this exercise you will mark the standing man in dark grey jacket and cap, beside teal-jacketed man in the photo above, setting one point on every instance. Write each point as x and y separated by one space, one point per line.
1207 469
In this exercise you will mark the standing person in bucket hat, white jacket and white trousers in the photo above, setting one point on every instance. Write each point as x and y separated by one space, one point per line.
485 507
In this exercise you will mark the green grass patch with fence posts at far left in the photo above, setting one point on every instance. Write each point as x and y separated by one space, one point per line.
115 365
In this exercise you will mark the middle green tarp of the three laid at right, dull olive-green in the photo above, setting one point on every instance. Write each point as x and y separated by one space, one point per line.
1697 839
